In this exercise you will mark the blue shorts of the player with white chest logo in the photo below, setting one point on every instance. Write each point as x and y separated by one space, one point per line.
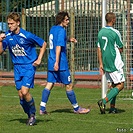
24 76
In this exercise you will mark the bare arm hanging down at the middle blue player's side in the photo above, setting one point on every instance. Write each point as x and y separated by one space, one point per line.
58 51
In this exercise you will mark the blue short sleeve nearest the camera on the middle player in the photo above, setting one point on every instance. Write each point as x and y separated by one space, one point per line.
61 38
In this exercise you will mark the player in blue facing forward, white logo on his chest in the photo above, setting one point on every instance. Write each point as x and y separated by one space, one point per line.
22 49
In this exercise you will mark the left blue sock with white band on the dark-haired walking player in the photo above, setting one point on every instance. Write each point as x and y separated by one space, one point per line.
45 96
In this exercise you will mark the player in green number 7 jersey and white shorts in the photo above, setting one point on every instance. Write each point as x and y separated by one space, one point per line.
109 50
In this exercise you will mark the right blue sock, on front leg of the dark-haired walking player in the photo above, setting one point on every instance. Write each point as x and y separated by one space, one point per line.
72 98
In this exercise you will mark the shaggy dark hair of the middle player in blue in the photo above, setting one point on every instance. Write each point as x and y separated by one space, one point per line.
60 17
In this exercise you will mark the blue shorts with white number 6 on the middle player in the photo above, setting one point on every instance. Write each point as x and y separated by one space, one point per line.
59 77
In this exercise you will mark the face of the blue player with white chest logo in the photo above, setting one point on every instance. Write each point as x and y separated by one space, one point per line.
13 25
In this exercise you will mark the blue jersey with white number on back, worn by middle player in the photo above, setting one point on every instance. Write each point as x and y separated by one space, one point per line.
57 37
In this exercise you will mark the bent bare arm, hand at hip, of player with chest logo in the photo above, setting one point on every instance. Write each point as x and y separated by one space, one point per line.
41 53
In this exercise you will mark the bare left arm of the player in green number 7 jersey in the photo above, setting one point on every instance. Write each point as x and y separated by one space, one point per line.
100 60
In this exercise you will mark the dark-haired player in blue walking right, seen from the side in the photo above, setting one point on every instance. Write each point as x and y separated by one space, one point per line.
58 70
